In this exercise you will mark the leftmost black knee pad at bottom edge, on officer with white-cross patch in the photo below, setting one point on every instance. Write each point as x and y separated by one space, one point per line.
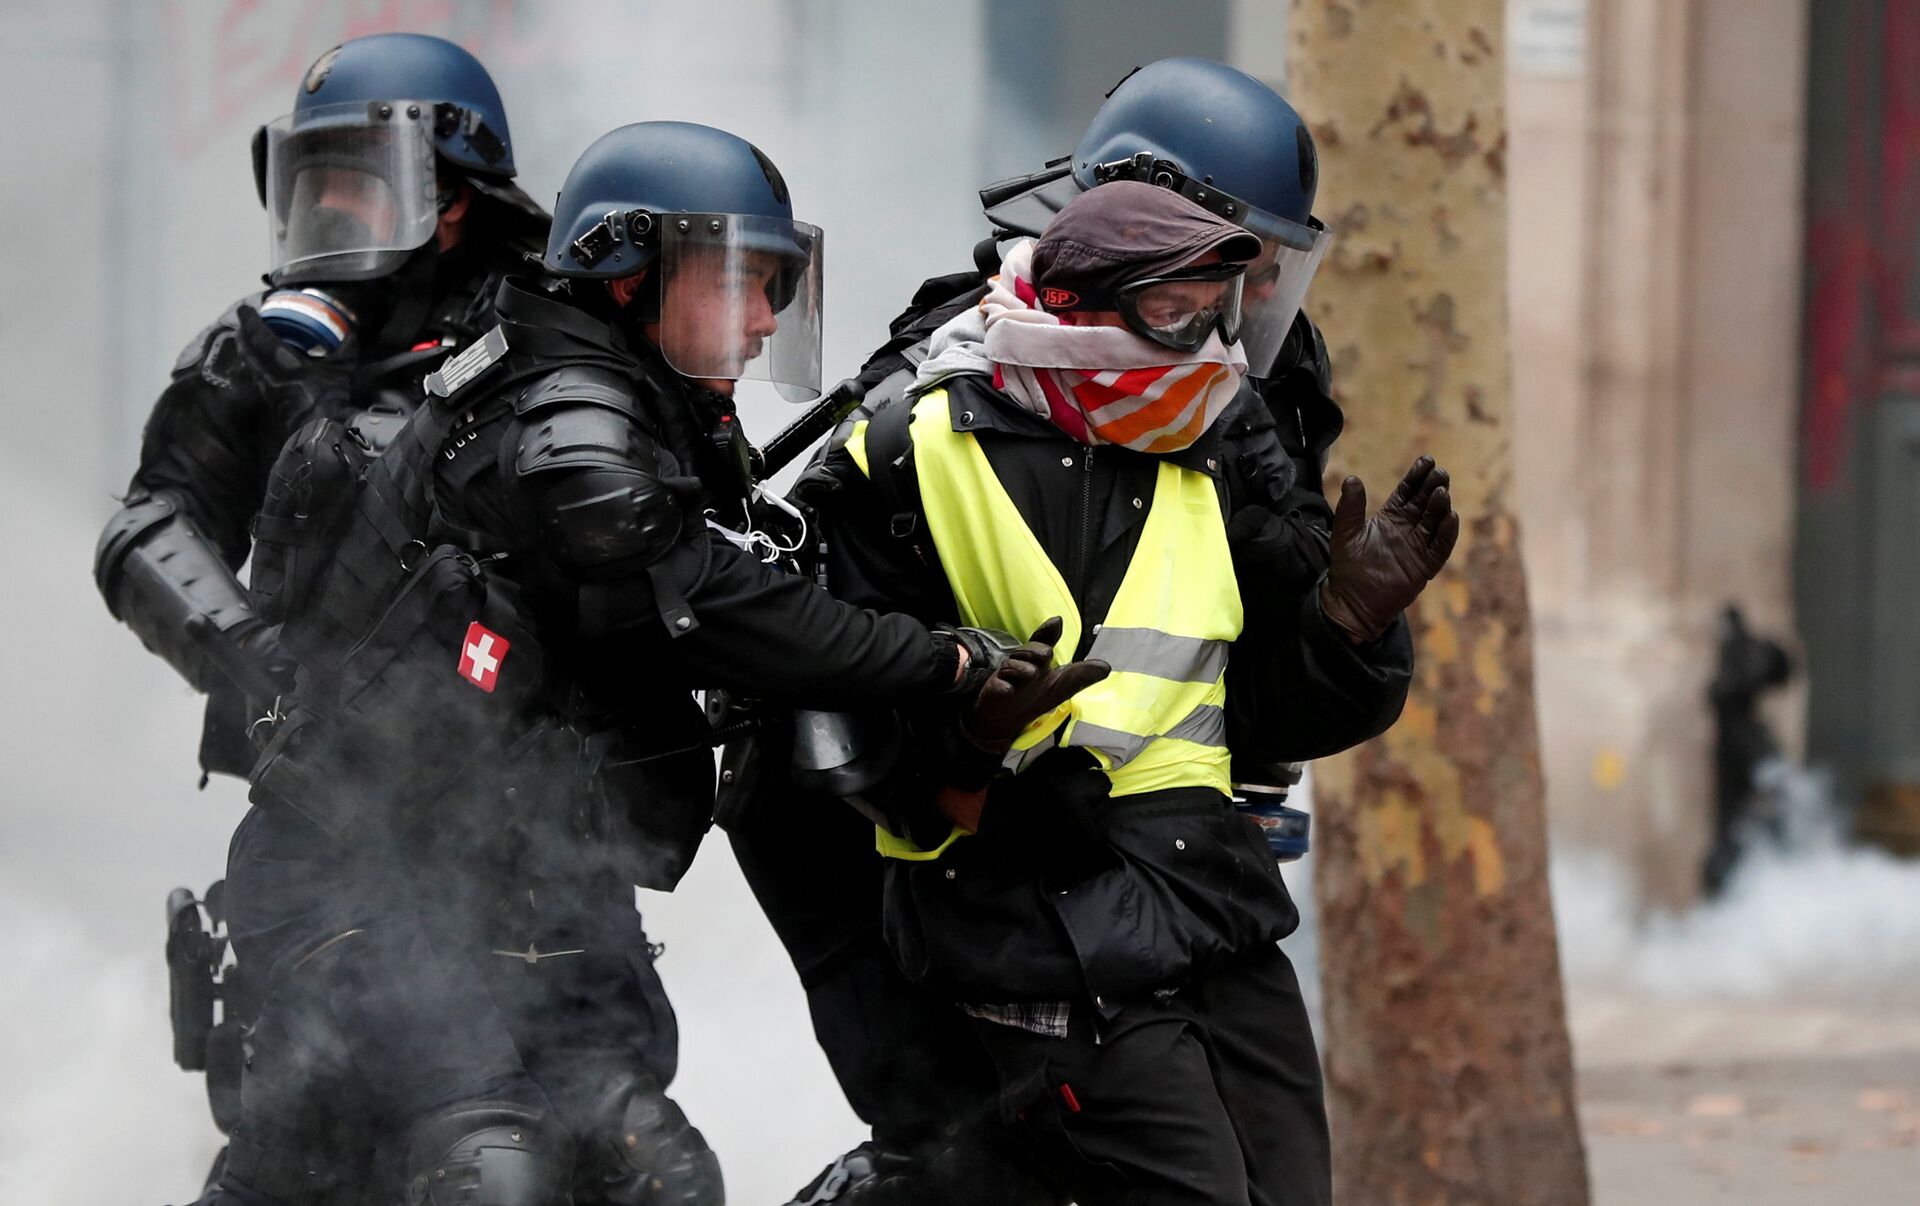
489 1153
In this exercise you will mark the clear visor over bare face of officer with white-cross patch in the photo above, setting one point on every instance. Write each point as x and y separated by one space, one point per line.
740 301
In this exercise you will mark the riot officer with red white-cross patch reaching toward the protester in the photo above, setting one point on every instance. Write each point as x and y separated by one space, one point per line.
492 736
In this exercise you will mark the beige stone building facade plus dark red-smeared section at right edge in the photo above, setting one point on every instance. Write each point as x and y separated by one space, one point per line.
1717 366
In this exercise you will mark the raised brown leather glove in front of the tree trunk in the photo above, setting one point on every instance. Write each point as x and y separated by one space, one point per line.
1381 566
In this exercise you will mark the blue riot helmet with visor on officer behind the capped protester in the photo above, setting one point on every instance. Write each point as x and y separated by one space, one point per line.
1220 139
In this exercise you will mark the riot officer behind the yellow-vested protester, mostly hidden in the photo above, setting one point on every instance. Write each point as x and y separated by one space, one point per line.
1237 149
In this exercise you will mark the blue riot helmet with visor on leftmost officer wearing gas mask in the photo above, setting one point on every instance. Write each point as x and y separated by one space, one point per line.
356 178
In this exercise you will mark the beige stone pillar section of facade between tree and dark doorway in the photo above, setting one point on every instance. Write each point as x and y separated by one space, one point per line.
1656 281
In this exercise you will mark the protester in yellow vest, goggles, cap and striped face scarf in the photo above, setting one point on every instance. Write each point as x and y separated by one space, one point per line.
1082 886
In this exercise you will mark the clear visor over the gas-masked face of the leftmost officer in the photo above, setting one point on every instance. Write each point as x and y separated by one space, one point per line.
350 189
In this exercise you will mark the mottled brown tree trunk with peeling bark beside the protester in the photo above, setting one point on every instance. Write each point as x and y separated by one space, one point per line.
1451 1074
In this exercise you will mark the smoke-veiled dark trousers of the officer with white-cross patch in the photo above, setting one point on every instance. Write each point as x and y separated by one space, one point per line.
389 994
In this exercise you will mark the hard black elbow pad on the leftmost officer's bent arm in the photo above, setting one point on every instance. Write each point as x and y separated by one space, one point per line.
166 581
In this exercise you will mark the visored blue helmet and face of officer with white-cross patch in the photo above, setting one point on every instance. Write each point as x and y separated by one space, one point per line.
732 281
